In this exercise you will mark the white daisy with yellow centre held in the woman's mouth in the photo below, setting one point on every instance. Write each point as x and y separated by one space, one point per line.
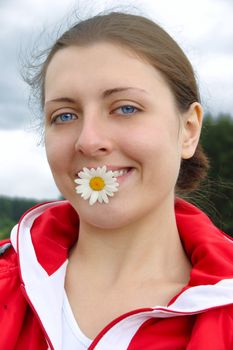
96 184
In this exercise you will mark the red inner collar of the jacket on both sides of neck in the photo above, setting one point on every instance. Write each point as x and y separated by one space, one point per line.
210 251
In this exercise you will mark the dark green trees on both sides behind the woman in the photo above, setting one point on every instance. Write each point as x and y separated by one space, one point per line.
215 196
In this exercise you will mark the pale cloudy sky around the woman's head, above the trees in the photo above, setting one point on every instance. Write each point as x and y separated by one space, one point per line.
203 28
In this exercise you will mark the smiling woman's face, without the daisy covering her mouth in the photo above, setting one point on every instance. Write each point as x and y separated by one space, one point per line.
105 106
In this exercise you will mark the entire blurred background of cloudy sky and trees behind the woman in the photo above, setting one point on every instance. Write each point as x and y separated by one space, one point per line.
202 28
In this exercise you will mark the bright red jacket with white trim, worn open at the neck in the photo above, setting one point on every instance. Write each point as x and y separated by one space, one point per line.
32 283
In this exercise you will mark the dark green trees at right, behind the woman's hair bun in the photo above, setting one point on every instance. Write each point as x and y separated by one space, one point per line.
216 196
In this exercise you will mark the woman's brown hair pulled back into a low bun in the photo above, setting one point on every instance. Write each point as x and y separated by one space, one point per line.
149 41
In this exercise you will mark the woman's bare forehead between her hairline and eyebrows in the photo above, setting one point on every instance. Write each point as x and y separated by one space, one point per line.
100 65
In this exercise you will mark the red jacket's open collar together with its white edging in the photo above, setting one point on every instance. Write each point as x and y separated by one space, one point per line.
46 234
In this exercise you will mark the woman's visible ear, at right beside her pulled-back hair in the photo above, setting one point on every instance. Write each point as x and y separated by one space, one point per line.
192 122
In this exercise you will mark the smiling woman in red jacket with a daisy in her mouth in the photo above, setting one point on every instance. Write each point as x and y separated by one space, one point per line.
122 263
